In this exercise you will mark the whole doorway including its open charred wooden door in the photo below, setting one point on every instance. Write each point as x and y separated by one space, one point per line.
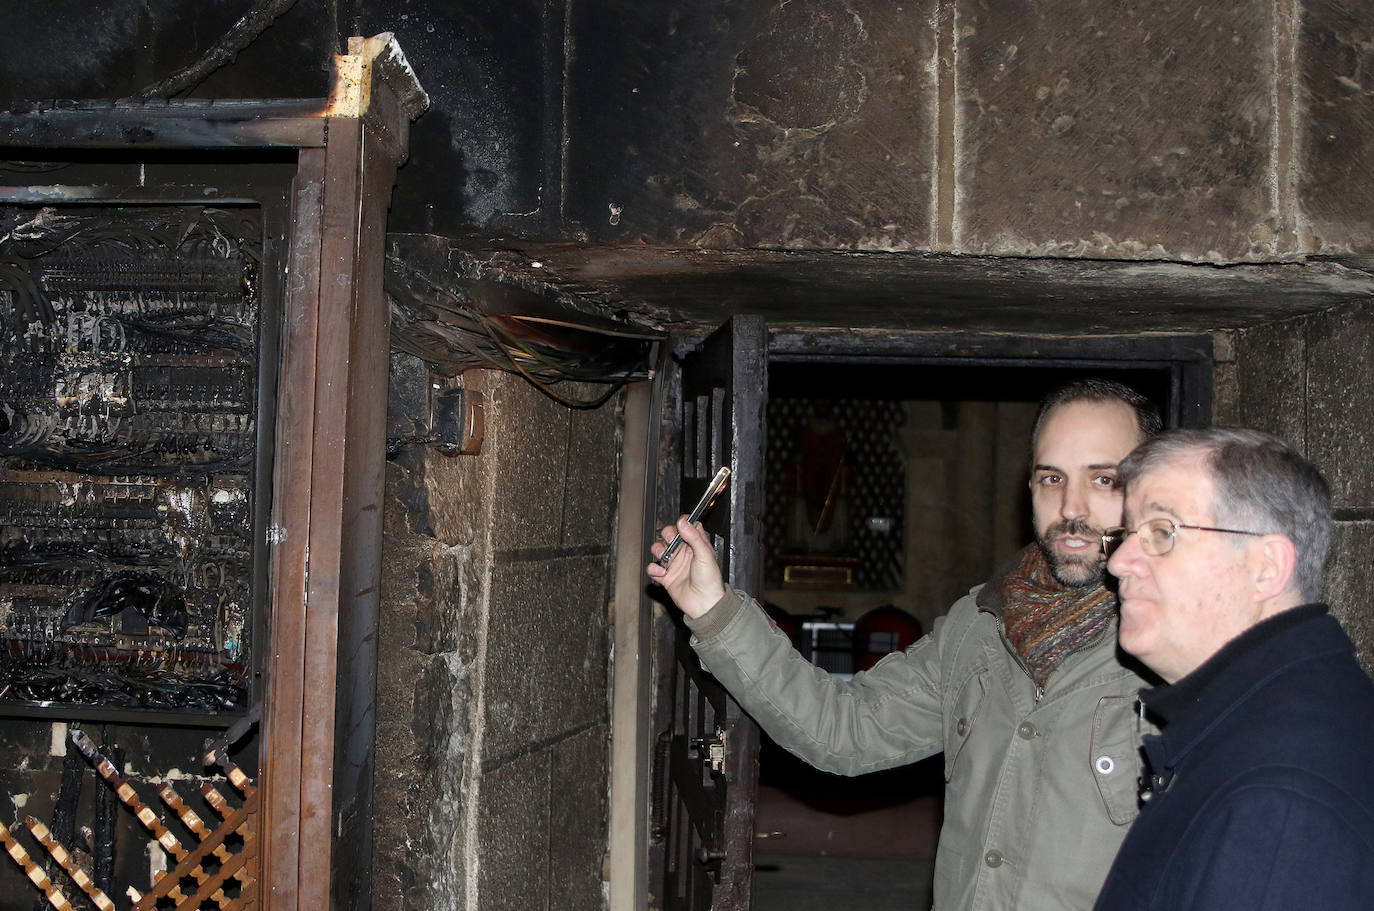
958 412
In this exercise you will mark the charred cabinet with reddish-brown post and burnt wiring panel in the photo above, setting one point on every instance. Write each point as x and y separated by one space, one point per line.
193 417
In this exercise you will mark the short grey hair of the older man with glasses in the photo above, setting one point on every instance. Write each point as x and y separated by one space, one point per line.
1259 484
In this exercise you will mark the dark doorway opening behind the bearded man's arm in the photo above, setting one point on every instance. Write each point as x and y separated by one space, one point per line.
921 457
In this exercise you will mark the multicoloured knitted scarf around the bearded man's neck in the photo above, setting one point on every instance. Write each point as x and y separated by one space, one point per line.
1046 622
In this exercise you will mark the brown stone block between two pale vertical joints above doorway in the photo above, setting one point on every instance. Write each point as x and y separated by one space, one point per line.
1116 131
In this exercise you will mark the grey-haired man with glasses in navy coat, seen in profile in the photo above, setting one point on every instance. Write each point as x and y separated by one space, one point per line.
1262 783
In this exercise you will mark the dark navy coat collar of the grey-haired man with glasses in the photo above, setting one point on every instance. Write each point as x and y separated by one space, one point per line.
1192 707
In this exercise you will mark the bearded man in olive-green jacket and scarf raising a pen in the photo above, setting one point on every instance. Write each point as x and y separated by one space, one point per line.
1022 685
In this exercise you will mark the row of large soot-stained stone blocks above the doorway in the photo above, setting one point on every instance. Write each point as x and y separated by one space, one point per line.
1159 131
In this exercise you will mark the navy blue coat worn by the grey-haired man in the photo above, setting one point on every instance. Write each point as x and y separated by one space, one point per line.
1263 780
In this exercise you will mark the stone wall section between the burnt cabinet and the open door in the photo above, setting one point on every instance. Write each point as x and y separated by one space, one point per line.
493 756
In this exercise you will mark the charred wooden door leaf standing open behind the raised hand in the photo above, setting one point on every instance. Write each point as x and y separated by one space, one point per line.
706 763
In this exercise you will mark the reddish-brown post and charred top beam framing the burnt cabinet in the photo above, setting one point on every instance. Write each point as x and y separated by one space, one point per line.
329 455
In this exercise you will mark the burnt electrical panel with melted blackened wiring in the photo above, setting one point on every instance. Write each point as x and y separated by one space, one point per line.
130 431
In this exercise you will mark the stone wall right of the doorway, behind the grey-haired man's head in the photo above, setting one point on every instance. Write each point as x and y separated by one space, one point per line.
1307 380
